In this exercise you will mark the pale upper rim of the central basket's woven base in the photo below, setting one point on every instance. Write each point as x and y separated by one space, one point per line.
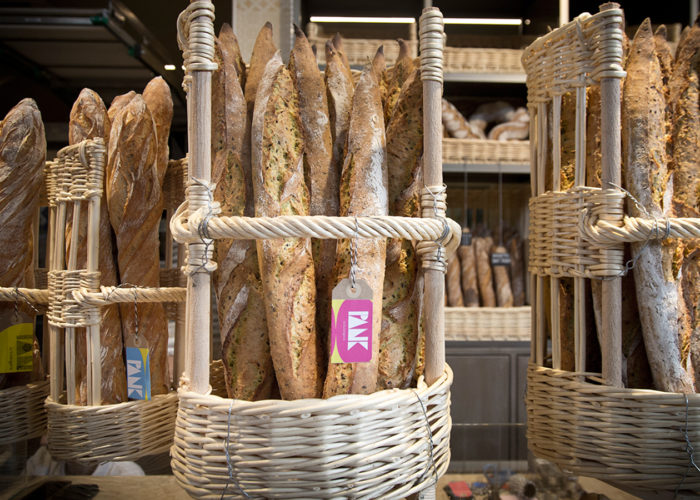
423 391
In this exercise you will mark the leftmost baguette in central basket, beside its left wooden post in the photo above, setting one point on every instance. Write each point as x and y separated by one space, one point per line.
245 349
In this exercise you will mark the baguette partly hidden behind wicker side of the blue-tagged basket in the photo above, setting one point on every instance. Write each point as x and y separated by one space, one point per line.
89 120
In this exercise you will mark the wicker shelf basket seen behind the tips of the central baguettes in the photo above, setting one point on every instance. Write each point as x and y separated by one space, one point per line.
360 49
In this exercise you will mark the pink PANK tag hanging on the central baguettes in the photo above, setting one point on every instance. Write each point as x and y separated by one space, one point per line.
351 329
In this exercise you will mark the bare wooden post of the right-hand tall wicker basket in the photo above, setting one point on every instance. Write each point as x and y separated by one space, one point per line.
611 155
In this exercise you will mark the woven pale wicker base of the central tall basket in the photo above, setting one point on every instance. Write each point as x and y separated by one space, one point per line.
356 446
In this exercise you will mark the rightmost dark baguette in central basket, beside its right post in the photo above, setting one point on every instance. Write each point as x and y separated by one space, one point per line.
403 281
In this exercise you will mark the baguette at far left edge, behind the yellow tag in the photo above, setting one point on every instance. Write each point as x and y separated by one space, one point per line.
22 157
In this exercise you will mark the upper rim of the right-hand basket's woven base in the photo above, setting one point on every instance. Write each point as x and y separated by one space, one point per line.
609 391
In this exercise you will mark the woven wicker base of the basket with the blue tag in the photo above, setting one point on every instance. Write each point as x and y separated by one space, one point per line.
123 431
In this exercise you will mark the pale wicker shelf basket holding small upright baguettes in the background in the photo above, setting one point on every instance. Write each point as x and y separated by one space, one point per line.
488 323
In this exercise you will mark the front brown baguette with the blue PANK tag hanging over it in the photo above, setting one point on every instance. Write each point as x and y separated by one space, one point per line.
135 208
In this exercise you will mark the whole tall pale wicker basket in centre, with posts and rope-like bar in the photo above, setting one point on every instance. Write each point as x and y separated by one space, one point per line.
390 444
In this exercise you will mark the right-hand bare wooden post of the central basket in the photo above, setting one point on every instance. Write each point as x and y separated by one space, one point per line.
432 174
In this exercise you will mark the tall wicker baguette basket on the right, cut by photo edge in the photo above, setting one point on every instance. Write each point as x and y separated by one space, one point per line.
588 423
